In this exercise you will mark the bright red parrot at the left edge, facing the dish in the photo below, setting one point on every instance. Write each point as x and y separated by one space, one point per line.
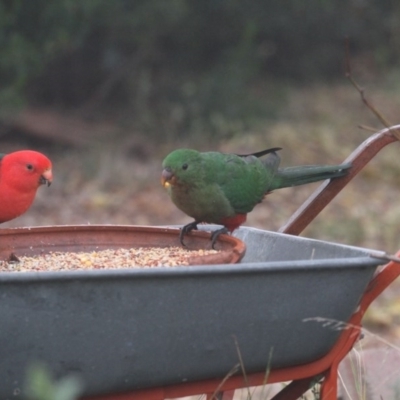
21 173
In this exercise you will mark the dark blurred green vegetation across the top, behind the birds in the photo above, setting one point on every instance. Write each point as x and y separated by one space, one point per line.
184 68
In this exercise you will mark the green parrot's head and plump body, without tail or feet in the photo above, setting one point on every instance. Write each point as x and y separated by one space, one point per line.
212 186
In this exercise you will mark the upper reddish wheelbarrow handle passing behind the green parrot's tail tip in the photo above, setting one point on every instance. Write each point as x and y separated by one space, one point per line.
330 188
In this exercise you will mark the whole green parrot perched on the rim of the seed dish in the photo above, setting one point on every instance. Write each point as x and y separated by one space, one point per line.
221 188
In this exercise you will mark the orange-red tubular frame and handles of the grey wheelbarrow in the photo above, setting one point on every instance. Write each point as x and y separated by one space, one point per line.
302 377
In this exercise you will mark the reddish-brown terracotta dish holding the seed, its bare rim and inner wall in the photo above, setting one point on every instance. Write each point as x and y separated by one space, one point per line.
34 241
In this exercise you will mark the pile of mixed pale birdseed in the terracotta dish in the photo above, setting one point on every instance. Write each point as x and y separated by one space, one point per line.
140 257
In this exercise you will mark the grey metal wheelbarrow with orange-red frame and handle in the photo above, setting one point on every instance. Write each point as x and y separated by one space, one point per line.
290 311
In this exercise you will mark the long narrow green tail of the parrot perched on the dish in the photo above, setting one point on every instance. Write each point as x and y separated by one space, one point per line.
295 176
